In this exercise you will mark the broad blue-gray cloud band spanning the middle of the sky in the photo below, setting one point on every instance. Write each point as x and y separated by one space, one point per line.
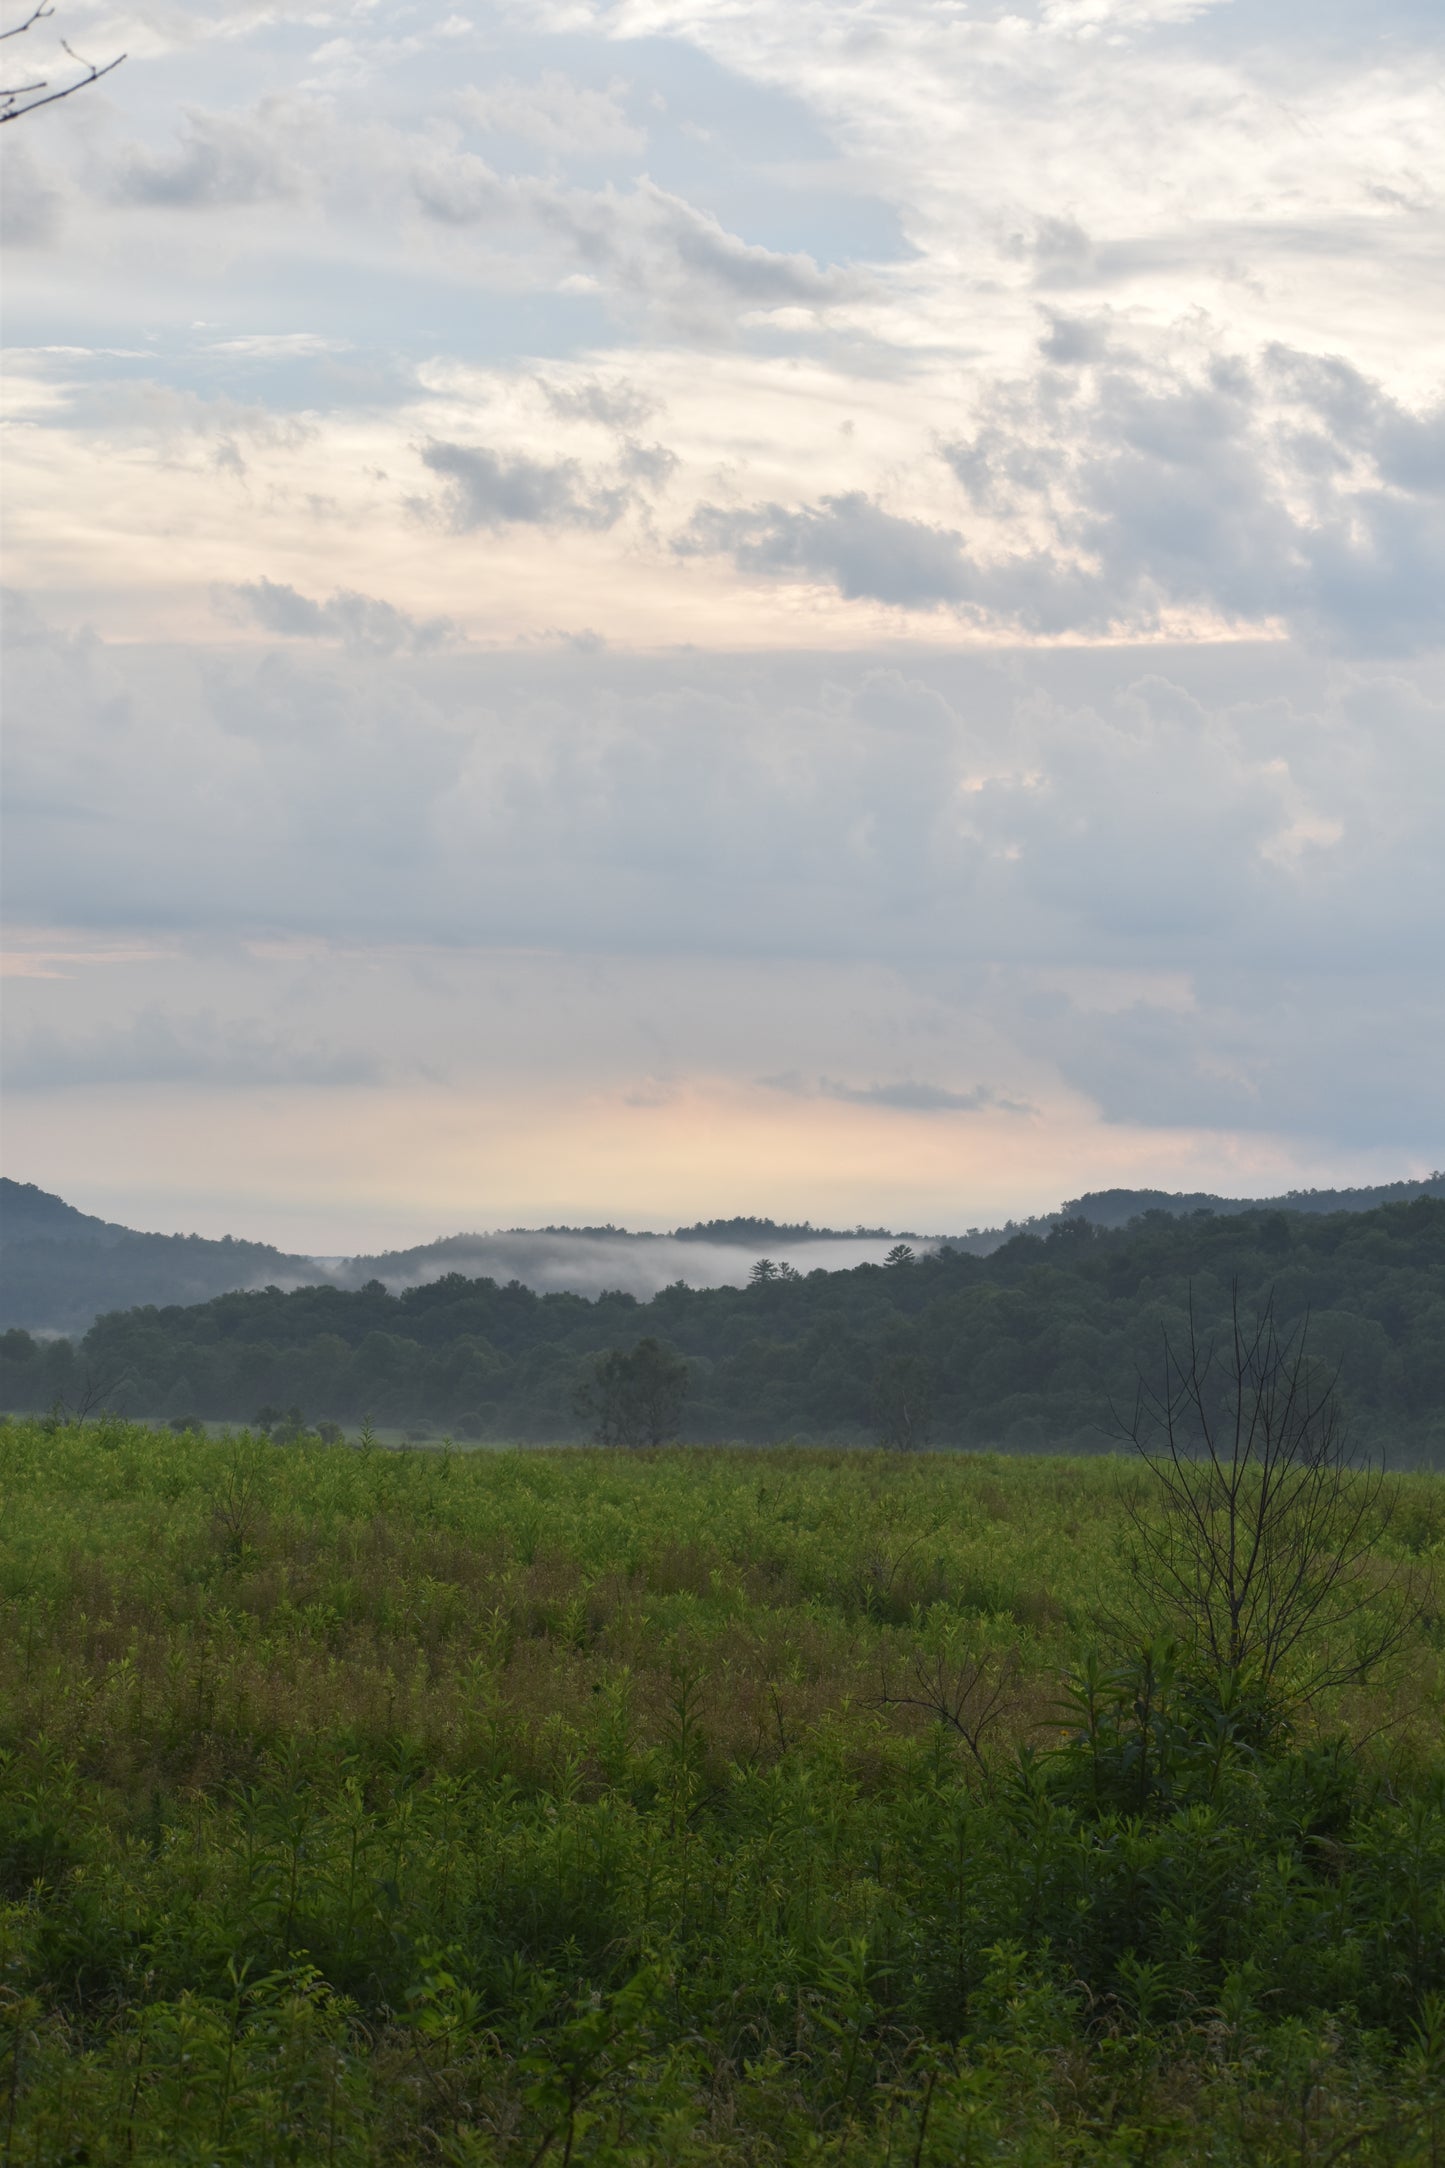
1190 886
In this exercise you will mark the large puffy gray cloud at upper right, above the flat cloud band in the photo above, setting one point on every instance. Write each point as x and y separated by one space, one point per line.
1281 489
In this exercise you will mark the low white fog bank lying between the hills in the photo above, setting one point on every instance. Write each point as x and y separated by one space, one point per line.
590 1265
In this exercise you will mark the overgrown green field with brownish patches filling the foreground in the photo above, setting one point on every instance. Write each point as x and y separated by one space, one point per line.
590 1807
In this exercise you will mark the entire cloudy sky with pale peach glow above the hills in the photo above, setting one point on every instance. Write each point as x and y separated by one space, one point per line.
638 612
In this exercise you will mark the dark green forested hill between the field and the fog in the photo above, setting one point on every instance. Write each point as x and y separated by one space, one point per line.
1024 1350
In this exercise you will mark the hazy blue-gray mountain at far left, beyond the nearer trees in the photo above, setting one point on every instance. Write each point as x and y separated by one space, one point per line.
60 1269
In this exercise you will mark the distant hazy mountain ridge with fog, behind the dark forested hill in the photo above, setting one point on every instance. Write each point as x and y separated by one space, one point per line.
62 1267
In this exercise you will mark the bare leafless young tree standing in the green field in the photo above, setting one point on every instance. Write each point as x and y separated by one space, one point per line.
1255 1538
